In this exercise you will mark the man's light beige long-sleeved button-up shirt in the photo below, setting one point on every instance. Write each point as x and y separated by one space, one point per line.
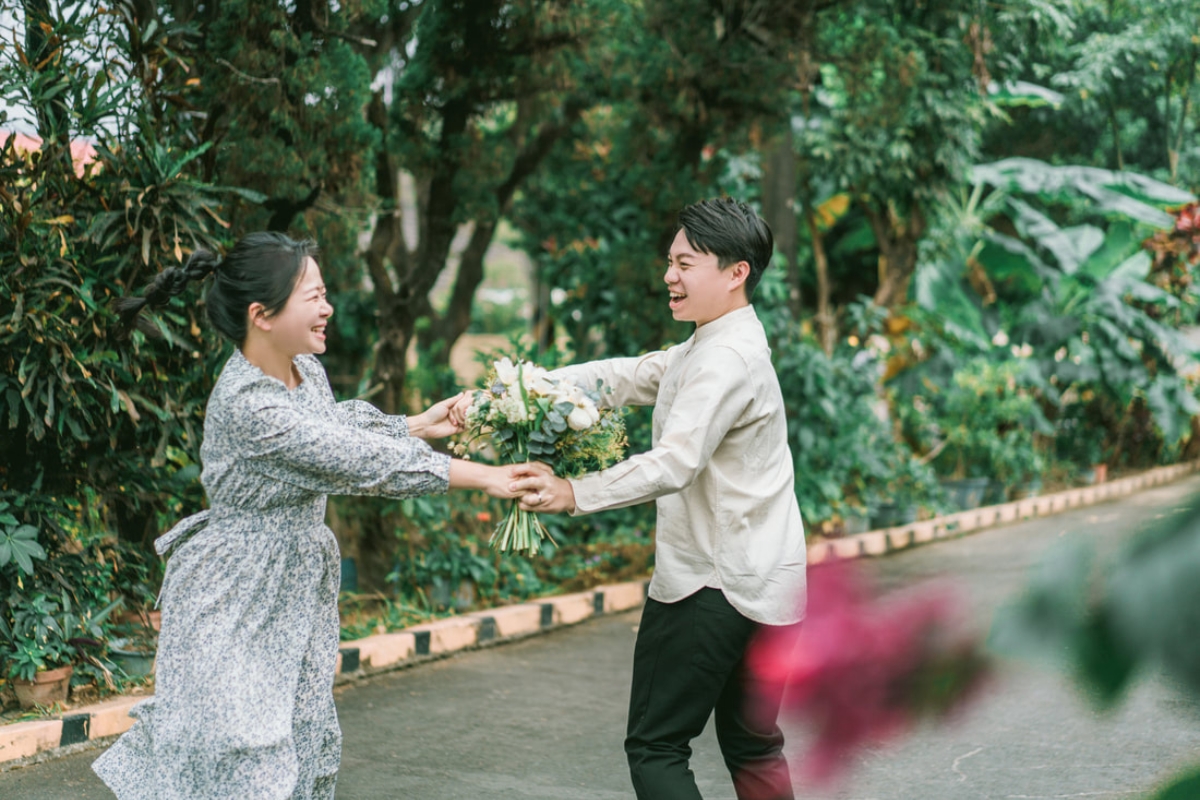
719 470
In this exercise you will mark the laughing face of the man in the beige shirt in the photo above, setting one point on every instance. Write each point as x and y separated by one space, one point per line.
700 290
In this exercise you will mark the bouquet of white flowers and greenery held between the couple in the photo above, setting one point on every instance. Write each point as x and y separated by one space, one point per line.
526 416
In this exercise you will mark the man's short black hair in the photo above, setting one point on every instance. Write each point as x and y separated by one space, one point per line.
733 232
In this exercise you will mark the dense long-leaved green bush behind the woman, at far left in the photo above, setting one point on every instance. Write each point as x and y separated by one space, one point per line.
103 430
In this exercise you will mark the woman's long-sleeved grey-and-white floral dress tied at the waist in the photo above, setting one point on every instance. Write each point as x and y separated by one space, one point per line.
244 705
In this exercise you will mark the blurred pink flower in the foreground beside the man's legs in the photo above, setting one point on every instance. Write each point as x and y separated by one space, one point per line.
863 670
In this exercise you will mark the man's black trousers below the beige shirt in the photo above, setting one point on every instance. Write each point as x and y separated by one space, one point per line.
688 664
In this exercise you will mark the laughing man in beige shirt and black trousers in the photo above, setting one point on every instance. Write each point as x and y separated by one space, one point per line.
730 555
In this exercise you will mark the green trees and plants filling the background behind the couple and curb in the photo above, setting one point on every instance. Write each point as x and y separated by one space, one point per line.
1004 193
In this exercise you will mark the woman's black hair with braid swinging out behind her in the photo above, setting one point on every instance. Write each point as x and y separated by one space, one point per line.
262 268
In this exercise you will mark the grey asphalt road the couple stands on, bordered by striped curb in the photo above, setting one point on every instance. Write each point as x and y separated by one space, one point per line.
544 719
